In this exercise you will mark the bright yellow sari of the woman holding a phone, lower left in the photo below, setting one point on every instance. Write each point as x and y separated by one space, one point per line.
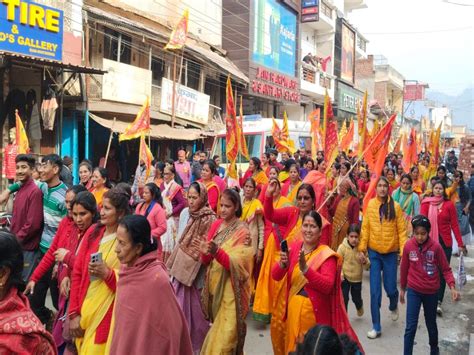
99 299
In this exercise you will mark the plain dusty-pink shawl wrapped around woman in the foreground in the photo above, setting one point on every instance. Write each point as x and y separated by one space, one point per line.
142 290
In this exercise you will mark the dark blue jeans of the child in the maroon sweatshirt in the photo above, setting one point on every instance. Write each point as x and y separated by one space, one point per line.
414 302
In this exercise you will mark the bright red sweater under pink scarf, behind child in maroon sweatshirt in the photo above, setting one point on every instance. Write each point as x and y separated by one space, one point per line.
447 221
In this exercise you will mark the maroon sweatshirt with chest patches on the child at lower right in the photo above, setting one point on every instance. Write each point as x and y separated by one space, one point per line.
421 266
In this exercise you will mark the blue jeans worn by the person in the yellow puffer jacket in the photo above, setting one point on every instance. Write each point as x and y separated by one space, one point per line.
386 264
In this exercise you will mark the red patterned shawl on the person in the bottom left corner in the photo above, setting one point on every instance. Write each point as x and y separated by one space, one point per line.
21 332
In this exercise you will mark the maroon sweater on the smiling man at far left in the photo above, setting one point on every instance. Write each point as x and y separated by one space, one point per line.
27 219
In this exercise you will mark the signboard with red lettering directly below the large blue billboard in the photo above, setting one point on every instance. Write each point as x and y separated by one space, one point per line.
276 86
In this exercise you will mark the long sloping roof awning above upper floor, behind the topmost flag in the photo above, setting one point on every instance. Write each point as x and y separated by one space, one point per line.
201 50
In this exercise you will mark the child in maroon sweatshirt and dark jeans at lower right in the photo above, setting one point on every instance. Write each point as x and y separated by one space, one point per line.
422 263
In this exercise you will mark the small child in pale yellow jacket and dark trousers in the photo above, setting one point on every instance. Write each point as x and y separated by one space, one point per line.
352 269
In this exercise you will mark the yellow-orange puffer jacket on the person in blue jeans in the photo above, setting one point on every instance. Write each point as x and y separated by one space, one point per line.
382 236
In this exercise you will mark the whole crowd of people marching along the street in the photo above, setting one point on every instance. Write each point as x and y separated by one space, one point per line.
175 262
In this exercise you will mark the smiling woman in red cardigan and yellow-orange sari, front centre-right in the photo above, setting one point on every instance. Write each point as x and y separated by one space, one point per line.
314 295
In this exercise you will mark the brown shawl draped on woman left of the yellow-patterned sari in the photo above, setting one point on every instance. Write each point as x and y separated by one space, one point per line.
184 262
